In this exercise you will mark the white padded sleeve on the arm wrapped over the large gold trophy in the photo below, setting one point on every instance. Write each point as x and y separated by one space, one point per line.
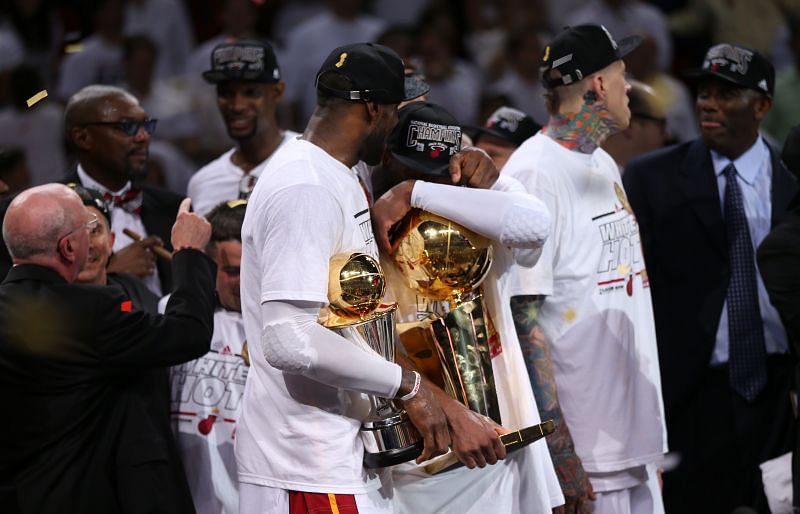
515 219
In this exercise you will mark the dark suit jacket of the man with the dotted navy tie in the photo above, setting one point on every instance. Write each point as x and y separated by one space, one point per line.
676 201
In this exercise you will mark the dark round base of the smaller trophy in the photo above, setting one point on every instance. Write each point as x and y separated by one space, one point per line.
390 440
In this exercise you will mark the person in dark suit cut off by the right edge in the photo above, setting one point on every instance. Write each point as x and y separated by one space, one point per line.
779 264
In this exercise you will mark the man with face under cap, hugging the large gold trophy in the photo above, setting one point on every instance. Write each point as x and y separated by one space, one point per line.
416 165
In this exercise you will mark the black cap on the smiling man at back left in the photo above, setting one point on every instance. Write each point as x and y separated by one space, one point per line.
243 60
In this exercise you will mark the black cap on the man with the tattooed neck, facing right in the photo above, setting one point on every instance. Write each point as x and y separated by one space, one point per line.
577 52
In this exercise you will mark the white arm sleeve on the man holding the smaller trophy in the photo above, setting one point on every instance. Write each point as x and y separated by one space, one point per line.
293 341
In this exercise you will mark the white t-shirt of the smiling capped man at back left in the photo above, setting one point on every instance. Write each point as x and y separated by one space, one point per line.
221 180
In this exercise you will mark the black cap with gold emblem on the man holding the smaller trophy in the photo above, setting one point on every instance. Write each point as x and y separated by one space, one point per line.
376 72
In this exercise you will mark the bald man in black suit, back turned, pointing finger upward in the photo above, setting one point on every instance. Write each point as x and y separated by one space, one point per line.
75 363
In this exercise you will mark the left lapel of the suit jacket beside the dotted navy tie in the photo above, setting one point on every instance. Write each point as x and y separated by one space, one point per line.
699 185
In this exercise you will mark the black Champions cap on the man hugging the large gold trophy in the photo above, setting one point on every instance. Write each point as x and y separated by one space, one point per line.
425 138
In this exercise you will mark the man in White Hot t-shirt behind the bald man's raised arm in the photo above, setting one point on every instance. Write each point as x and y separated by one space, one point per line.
207 392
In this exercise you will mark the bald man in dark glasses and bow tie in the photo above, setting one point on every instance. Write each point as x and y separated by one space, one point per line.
110 133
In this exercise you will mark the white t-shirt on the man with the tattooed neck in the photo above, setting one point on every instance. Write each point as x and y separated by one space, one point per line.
598 315
